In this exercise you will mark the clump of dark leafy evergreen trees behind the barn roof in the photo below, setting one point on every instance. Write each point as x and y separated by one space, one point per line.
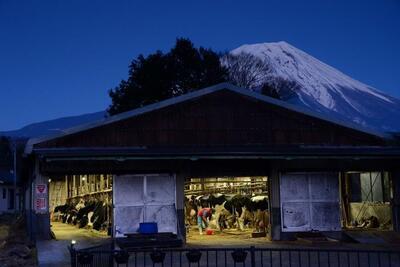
160 76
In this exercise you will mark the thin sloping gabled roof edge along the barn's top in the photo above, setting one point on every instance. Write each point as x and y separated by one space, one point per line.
196 94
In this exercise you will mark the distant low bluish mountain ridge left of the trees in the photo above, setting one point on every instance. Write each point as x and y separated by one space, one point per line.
53 126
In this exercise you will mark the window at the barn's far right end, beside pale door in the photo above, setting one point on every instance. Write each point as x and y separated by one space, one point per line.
369 187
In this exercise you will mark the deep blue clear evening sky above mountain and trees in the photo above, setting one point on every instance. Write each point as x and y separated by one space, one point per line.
59 58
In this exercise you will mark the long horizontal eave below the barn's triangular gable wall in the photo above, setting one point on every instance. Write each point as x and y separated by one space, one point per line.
358 152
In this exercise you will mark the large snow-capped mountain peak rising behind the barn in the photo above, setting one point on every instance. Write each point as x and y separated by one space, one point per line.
324 89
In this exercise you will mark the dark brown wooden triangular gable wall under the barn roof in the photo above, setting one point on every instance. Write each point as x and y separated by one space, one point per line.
223 118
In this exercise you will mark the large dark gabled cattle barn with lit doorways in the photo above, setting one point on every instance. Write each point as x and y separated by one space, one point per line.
315 173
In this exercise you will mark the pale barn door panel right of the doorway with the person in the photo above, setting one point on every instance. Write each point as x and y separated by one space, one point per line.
310 201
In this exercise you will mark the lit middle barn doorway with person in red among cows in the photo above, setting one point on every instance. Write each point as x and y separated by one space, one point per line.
239 208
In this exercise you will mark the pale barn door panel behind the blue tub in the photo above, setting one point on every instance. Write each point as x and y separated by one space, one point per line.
144 198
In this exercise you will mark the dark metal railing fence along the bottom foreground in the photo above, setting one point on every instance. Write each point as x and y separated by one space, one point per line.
251 256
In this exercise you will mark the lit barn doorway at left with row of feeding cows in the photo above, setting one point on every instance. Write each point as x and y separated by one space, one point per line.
80 207
